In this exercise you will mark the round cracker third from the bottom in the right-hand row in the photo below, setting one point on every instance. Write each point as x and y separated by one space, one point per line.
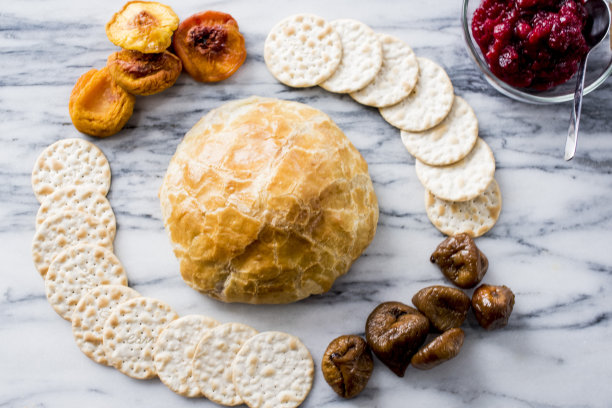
448 142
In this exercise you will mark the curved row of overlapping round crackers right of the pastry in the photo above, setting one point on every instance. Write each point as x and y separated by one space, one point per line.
414 94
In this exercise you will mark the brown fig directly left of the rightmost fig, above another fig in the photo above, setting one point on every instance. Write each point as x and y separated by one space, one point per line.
445 307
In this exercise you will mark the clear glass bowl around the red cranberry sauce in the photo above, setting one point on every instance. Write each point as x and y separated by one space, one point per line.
599 67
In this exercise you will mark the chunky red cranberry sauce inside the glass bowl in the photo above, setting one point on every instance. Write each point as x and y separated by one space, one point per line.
534 44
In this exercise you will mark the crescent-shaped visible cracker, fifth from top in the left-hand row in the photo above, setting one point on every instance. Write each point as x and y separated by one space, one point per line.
90 314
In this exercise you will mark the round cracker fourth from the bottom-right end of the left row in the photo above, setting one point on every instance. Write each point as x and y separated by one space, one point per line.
129 333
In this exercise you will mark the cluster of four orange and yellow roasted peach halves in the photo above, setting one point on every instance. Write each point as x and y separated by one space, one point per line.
208 45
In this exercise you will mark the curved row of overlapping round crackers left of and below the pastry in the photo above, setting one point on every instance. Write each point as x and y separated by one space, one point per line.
143 337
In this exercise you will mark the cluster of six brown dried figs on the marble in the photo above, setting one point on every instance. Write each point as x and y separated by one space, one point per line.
396 333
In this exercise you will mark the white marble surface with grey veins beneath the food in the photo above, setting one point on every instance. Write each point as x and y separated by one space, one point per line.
552 244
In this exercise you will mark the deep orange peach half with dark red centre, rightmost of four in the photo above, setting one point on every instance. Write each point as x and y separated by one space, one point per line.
210 46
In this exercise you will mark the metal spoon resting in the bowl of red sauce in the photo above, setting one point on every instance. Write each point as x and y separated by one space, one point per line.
598 23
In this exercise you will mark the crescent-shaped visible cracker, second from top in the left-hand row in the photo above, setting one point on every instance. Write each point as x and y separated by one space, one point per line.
85 199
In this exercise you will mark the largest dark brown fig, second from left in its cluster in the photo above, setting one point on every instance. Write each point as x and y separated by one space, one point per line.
394 332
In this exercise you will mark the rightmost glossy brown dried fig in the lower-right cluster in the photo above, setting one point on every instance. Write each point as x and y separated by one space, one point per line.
492 306
